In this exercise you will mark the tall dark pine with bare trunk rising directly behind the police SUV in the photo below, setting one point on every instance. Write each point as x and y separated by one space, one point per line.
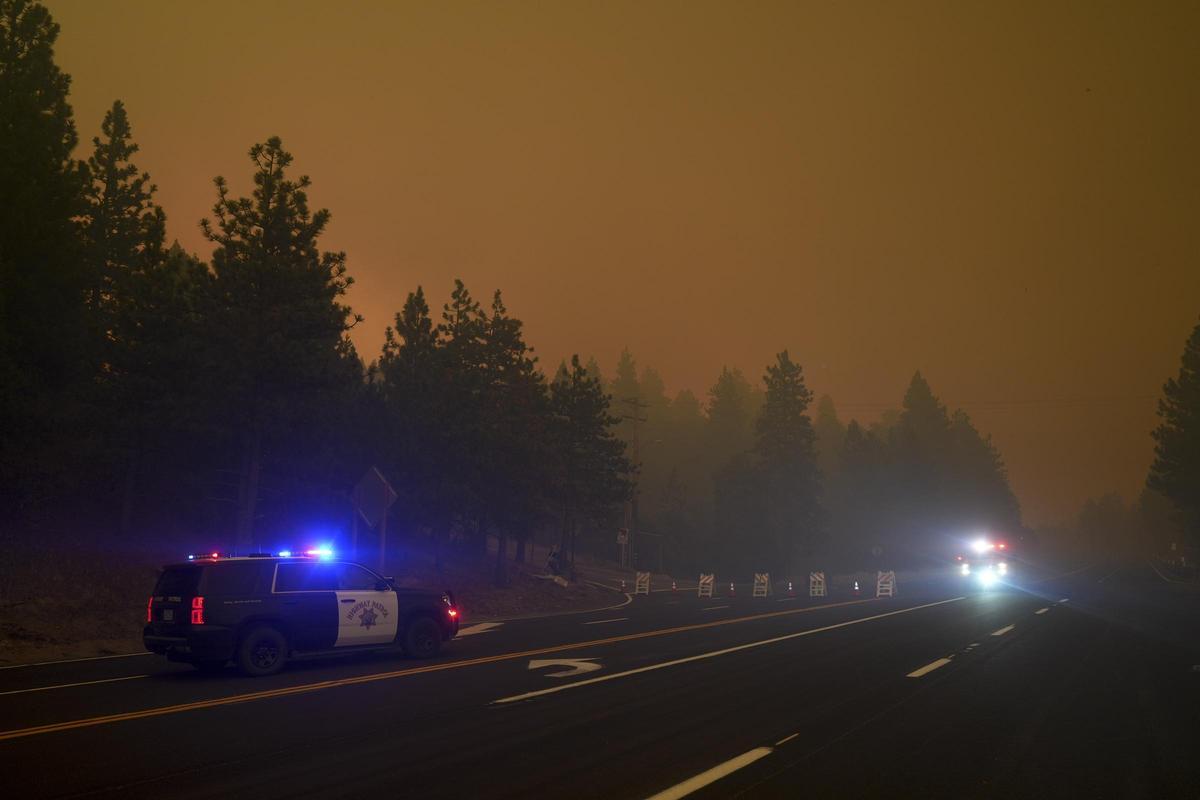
279 328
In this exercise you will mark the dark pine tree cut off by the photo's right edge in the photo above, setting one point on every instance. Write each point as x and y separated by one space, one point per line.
1177 470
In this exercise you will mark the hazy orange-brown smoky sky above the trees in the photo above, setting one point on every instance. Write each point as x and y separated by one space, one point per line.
1004 196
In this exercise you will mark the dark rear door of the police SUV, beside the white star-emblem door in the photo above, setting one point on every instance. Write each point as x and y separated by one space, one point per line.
307 593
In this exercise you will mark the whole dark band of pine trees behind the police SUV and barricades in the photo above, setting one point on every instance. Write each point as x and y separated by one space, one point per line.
148 393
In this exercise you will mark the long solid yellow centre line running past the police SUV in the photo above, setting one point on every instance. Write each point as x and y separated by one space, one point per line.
303 689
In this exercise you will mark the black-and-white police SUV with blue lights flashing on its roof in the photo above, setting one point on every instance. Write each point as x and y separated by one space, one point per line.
259 611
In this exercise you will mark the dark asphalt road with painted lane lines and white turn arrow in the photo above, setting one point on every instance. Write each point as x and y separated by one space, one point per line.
1085 684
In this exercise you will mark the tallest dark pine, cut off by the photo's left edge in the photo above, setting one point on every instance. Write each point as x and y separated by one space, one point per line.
49 344
